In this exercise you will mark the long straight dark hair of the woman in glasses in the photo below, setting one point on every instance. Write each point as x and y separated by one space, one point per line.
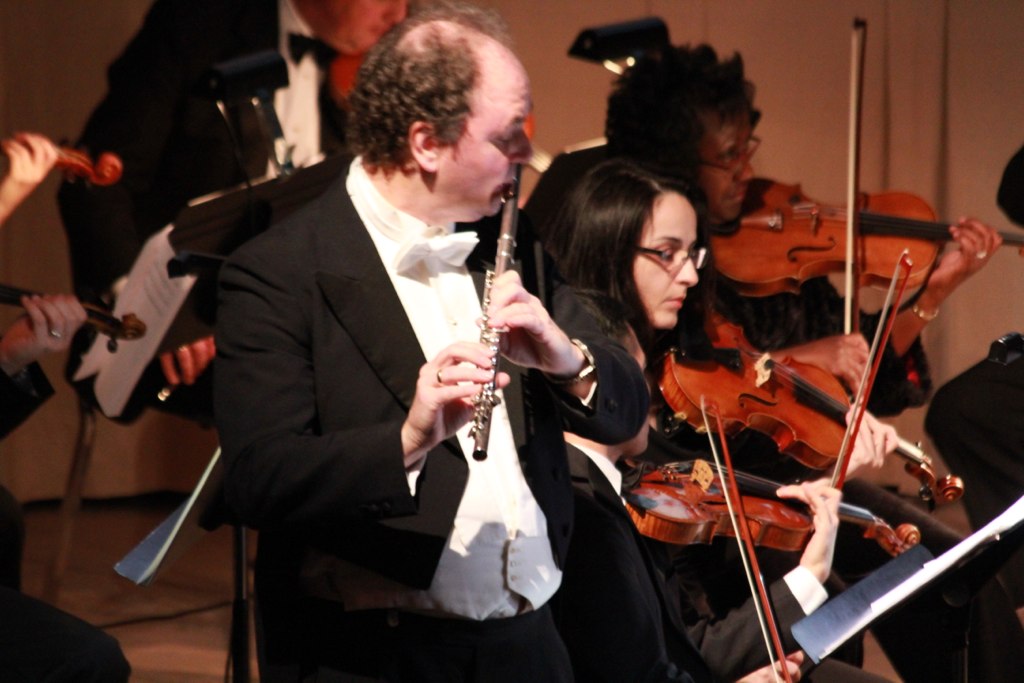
594 236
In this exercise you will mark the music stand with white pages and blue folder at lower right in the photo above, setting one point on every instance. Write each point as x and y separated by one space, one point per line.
952 580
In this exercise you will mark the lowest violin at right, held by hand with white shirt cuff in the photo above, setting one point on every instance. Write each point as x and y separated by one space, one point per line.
684 504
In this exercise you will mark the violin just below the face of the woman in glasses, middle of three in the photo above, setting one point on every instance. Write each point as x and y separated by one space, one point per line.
801 407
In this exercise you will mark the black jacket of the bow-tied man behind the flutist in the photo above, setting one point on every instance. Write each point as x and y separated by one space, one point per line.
172 138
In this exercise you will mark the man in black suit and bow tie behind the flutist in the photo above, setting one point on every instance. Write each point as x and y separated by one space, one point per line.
176 145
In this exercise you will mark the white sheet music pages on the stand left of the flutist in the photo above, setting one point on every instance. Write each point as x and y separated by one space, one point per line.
155 298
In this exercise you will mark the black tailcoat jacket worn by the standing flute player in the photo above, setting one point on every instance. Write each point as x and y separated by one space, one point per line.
316 371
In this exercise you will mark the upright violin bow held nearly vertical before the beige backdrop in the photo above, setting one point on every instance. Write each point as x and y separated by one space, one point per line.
851 280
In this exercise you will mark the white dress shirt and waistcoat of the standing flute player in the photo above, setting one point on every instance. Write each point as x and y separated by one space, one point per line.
499 562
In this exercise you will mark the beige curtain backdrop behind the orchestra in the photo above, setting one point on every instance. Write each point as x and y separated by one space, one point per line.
943 116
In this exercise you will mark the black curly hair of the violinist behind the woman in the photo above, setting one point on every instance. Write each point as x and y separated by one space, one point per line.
657 108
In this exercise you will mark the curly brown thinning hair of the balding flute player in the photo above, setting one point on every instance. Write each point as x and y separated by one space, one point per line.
425 69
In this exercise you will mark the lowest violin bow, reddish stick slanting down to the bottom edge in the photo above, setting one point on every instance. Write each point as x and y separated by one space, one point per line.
738 516
